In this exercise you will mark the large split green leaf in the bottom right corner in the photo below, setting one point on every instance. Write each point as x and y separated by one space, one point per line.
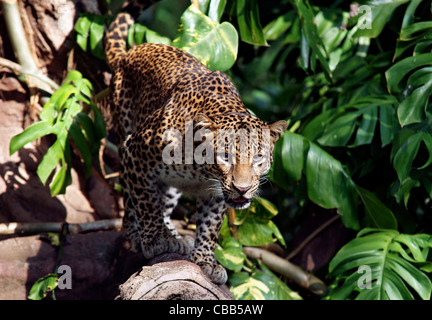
392 276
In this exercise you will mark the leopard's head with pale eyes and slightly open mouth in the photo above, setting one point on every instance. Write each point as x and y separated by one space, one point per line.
242 153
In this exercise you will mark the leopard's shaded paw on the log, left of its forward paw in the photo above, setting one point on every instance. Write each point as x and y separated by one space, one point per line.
166 245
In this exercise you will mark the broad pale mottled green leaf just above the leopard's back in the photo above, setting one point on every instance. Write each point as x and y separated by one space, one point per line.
214 44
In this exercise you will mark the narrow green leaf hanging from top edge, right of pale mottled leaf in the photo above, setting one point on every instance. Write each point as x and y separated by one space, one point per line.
249 22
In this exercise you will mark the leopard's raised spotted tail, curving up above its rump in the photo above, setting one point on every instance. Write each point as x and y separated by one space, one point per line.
115 46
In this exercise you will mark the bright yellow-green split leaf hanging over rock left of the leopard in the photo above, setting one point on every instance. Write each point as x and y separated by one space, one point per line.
60 116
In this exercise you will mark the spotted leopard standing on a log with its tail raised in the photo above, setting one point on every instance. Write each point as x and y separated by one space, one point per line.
158 88
